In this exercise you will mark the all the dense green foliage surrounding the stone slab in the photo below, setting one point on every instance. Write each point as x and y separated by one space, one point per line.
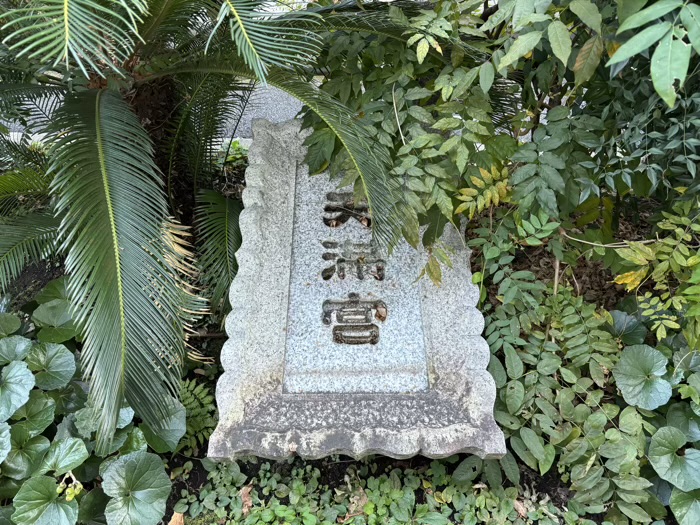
562 136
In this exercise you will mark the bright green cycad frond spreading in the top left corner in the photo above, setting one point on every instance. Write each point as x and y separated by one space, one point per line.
88 32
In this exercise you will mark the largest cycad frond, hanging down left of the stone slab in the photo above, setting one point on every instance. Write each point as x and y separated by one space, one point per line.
123 281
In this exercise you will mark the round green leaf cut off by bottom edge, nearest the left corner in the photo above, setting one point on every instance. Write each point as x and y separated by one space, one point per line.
38 503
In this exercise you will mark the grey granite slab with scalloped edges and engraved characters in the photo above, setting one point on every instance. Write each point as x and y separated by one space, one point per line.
335 348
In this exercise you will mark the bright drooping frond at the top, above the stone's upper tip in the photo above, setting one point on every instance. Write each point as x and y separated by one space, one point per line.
264 38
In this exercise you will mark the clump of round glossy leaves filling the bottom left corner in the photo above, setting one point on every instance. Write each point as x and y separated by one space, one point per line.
50 467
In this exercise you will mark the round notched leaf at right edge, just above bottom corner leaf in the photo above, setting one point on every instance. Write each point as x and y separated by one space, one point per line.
680 471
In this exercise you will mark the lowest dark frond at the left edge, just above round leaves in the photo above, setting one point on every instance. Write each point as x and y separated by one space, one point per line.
25 239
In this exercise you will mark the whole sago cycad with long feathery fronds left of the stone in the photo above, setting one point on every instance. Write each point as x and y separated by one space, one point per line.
129 99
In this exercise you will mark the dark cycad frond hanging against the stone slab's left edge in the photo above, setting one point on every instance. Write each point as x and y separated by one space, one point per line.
219 234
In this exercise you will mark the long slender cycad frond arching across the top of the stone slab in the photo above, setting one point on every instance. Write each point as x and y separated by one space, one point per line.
371 159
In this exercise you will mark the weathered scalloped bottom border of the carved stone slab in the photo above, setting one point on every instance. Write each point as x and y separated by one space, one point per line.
356 425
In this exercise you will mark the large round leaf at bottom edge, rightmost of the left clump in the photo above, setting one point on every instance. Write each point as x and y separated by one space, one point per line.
139 488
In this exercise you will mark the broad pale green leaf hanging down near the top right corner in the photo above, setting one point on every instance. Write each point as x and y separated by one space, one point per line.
669 62
